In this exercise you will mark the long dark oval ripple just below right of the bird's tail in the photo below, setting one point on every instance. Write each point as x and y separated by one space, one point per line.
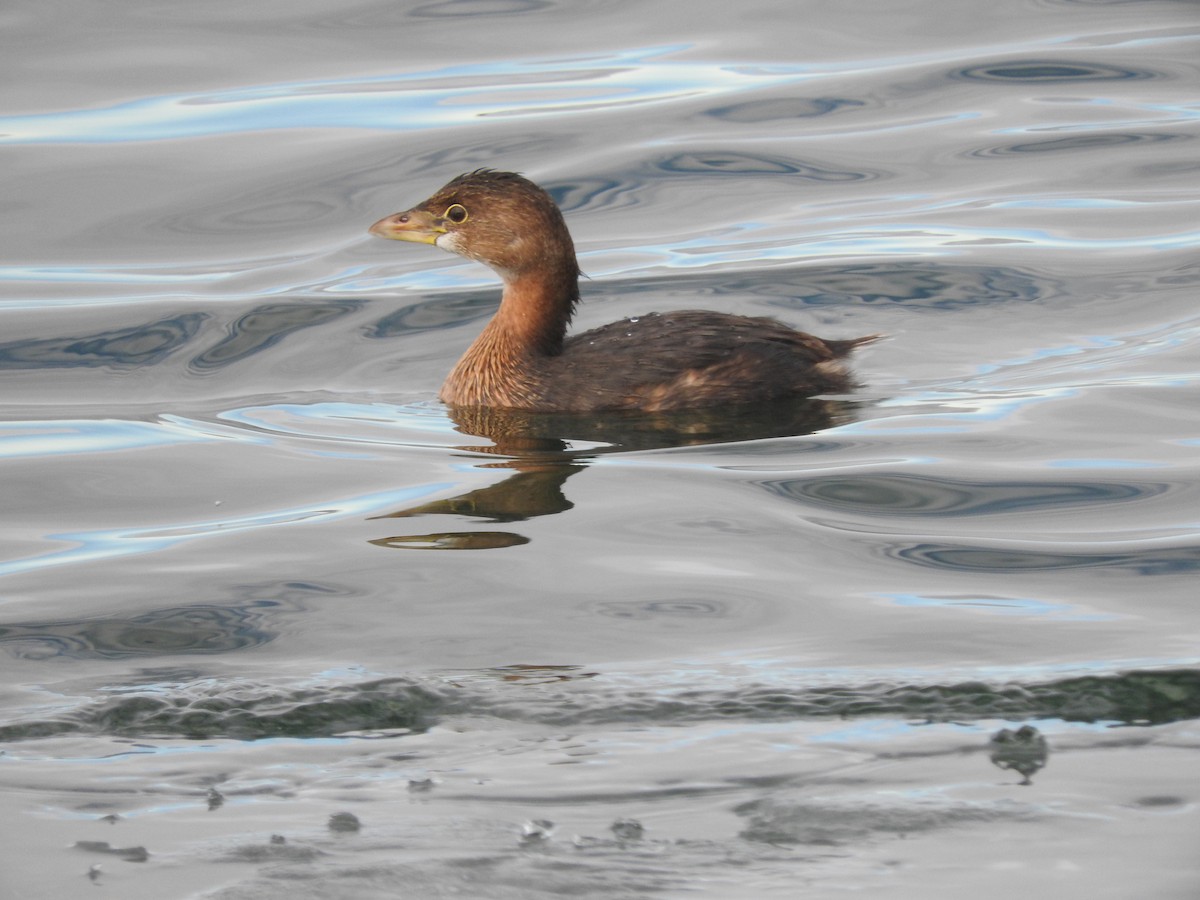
922 496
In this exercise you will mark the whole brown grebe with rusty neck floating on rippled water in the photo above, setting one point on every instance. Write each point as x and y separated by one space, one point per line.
524 359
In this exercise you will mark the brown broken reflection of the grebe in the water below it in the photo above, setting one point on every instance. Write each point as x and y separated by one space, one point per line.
542 451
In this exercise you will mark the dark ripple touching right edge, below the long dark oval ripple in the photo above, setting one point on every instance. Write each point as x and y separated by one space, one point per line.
998 560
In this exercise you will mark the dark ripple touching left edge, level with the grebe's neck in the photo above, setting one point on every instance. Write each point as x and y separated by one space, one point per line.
118 349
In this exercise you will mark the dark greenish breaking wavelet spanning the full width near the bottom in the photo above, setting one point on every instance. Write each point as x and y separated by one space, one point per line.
250 711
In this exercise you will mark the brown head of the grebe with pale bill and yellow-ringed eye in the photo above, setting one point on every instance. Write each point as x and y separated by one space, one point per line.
499 219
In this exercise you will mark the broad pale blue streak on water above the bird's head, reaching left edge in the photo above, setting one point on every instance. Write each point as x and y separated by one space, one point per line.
416 100
